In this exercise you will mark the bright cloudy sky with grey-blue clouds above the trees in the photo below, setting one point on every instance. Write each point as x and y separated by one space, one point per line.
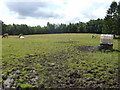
39 12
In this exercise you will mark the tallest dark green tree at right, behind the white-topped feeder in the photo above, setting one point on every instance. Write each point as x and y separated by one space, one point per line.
112 19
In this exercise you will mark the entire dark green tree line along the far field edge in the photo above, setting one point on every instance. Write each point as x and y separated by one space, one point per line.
110 25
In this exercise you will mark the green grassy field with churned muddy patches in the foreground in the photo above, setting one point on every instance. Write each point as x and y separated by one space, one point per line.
58 61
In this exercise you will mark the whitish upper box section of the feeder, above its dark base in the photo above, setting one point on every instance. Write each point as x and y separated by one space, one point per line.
106 39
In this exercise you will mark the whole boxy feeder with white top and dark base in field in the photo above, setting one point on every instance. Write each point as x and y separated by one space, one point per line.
106 41
